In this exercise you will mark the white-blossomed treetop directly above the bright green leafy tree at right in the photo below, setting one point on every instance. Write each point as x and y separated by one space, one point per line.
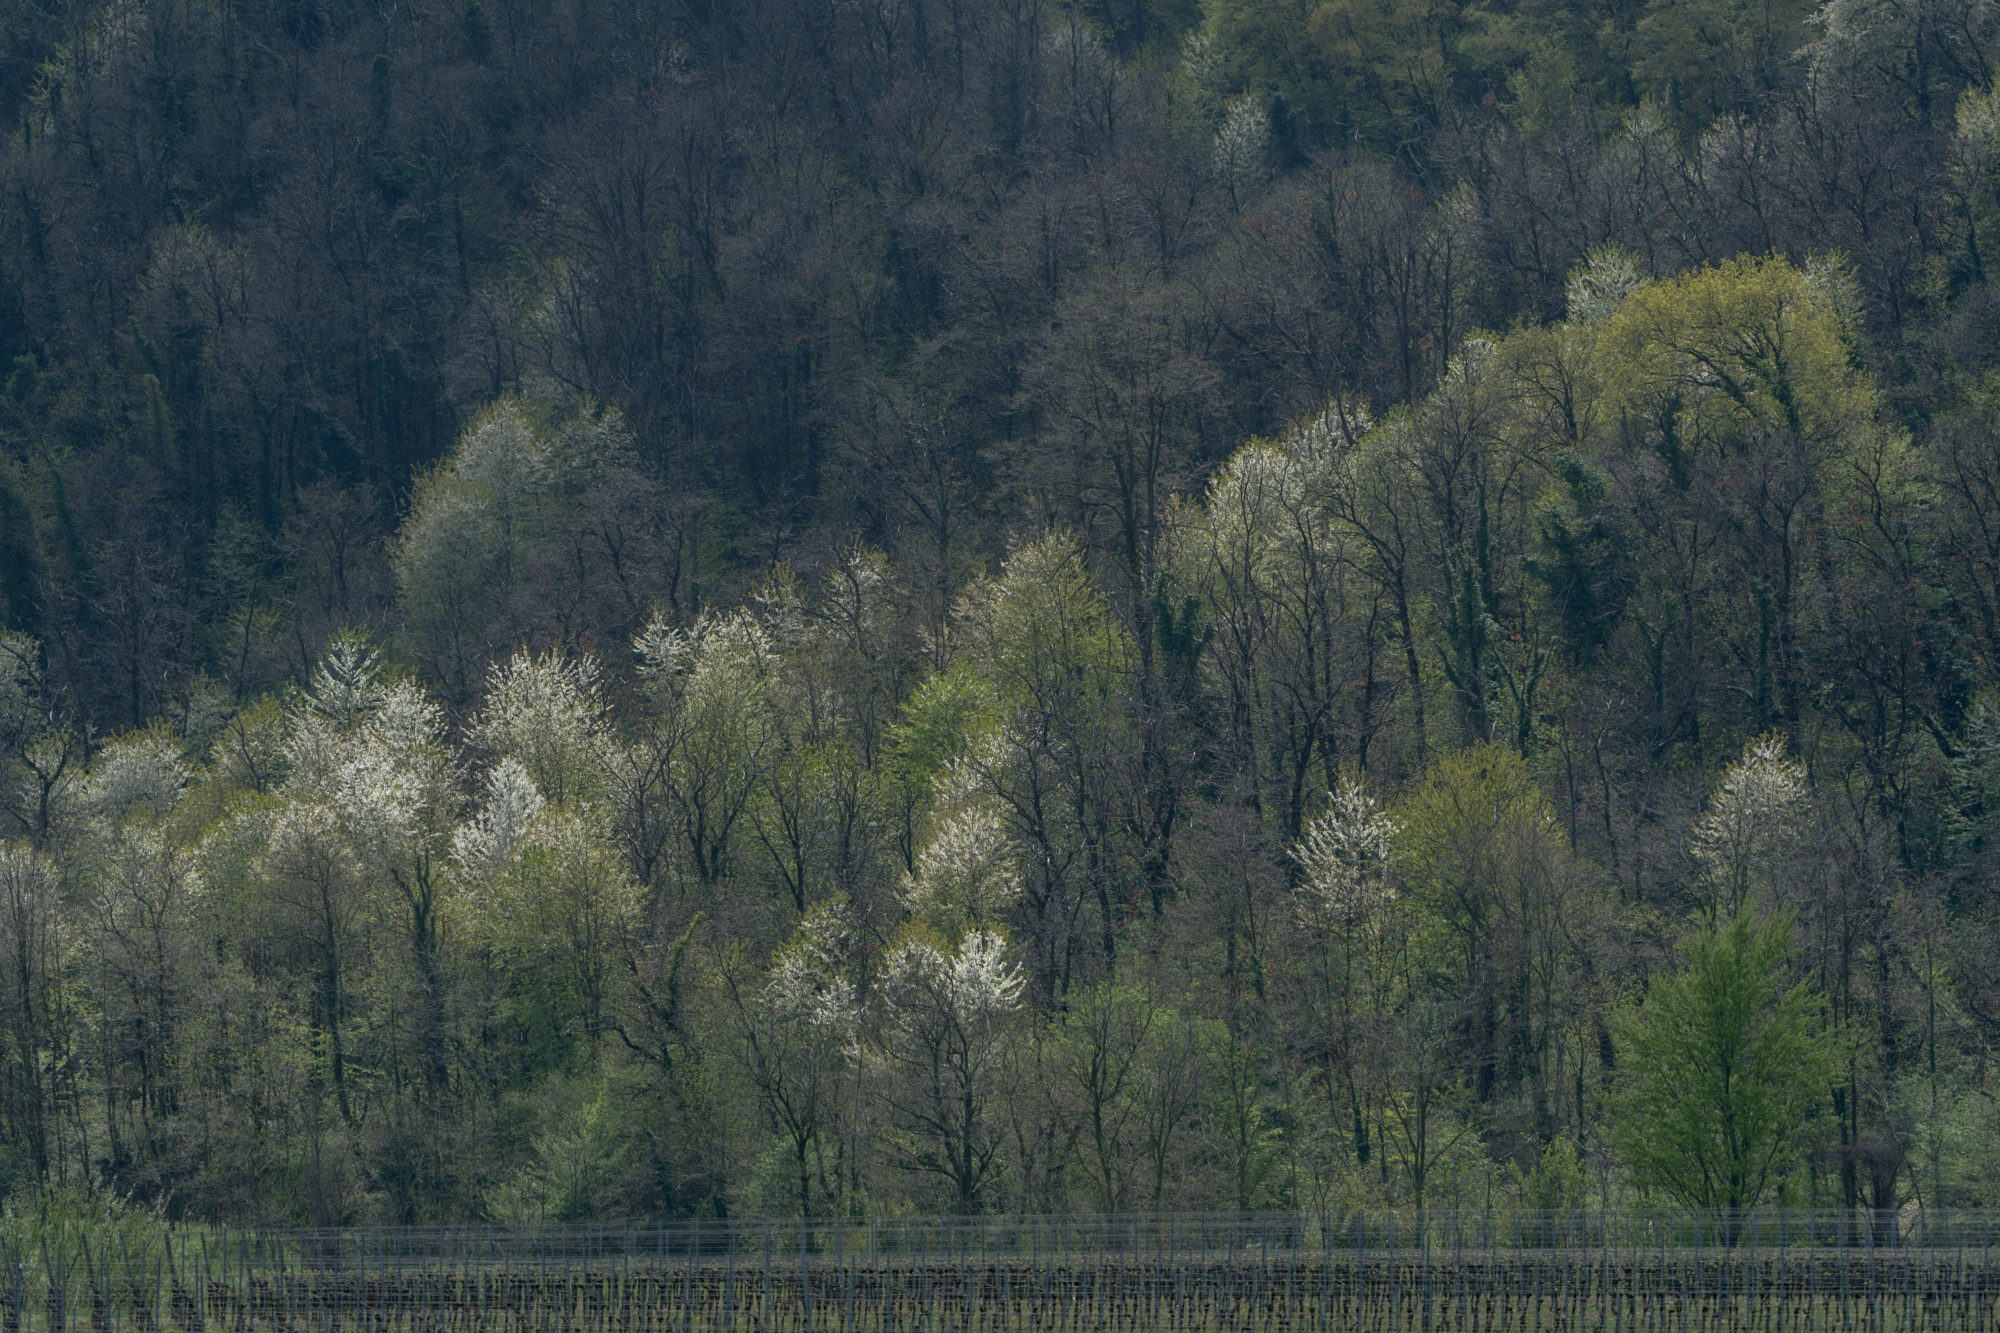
1753 830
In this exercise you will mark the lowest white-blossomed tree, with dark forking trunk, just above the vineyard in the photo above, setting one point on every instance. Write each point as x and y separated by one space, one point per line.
945 1028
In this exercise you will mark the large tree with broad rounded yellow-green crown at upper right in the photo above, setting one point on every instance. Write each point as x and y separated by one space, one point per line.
1741 423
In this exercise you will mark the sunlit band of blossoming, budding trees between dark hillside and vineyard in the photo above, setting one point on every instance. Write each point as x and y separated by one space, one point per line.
1473 800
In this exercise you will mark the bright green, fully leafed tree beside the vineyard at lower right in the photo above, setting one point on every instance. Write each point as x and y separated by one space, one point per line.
1725 1072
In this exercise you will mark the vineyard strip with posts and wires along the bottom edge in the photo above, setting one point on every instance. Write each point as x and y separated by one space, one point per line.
1183 1274
